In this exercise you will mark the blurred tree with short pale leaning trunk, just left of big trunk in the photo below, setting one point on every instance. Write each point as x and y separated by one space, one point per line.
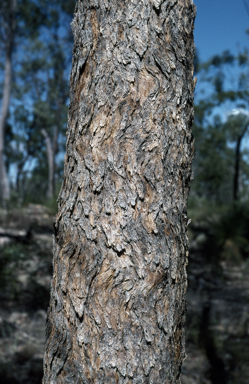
51 92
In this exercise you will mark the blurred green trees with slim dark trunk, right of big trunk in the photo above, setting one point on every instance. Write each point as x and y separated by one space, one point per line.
221 165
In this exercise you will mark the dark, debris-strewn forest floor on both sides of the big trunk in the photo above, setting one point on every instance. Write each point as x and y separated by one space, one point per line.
217 328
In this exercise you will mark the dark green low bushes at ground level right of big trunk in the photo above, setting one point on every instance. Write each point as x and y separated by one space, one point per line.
225 229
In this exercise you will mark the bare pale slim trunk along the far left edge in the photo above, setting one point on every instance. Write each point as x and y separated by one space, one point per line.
9 41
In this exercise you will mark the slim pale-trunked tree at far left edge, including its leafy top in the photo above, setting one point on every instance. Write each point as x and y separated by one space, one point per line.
18 19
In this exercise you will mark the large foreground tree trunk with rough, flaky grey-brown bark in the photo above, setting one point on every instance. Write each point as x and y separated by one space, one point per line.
117 304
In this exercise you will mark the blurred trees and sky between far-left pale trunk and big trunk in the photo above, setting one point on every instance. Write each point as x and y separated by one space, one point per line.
39 96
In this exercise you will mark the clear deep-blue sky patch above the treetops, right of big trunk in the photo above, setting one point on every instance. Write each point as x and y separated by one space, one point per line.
220 25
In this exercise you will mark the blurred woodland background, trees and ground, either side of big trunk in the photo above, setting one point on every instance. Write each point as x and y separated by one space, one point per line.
217 329
